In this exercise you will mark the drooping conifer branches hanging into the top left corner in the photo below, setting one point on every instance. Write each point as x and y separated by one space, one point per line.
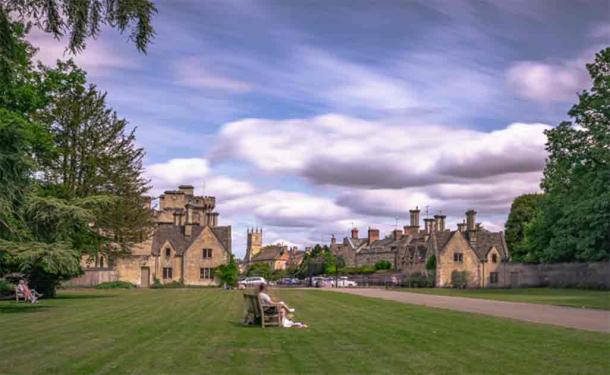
80 20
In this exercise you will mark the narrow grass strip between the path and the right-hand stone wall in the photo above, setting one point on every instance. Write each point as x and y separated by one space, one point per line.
594 299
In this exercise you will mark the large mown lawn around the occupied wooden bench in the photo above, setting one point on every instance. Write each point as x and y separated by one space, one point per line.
197 331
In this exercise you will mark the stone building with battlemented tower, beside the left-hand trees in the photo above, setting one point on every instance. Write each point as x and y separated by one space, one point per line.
186 245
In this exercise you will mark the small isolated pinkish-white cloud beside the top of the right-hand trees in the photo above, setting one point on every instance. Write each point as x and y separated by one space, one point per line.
547 82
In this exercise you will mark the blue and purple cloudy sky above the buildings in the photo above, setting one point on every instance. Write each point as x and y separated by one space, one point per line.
306 118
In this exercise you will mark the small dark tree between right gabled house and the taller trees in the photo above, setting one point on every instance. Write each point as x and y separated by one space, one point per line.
522 211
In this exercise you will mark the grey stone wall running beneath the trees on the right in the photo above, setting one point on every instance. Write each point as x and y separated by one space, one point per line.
574 275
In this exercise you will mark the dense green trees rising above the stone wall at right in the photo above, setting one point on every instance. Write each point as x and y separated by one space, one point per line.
570 220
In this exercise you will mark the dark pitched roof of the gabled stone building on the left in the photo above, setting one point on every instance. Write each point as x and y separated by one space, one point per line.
174 234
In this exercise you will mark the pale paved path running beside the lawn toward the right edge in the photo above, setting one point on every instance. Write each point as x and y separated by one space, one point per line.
587 319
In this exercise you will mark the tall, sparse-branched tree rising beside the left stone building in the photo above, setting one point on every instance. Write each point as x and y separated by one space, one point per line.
95 155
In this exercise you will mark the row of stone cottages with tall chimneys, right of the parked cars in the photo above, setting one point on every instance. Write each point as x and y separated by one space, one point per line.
482 255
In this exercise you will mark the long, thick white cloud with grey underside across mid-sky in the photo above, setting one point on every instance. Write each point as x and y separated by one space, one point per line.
344 151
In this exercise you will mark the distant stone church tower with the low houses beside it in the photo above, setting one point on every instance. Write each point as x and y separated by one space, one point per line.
279 257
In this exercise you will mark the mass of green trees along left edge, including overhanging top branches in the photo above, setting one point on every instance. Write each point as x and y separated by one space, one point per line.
70 172
